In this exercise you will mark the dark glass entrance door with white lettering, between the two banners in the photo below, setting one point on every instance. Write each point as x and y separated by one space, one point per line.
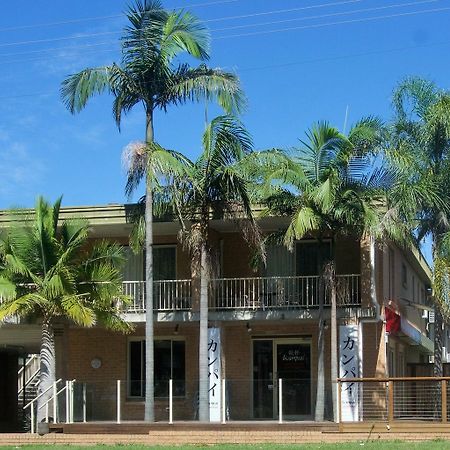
290 360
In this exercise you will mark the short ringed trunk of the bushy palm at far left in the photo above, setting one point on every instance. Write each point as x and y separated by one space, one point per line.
47 368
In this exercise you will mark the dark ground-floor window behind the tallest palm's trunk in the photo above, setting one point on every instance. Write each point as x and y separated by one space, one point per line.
169 357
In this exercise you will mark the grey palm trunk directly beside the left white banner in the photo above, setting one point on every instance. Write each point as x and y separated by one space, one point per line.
203 414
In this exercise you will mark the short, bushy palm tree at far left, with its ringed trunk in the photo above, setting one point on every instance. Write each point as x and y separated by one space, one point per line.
47 273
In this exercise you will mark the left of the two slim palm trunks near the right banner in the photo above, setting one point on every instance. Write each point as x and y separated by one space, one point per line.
320 391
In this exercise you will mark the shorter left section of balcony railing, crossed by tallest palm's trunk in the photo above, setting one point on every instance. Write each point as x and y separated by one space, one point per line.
168 295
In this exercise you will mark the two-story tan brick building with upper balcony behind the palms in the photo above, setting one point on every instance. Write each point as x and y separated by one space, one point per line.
267 319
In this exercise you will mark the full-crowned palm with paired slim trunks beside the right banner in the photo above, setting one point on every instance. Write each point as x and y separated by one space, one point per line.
328 187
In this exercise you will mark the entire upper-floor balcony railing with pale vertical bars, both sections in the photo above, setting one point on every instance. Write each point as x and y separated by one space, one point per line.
262 293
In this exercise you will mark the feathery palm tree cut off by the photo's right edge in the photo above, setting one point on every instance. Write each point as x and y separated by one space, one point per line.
420 150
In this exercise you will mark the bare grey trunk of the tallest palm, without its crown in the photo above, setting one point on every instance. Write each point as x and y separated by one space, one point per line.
149 409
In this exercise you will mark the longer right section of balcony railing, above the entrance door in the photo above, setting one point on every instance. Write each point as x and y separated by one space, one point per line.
296 292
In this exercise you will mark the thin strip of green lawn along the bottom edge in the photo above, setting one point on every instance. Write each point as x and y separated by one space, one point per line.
429 445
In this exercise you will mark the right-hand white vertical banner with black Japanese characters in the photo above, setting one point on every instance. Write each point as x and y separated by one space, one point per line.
348 369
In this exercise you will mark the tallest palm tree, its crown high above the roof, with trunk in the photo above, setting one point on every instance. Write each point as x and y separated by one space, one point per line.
150 75
